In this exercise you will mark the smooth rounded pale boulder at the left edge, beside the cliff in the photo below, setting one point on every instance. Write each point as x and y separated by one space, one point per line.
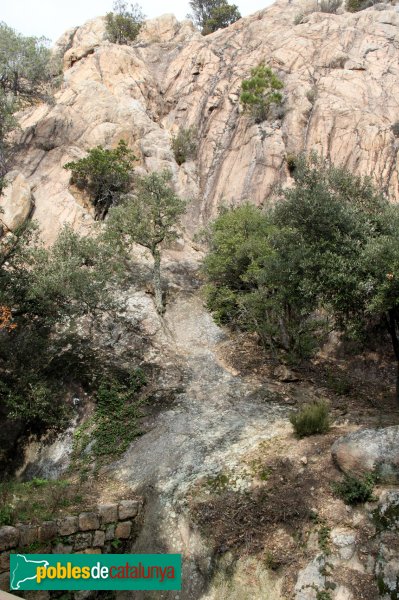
16 202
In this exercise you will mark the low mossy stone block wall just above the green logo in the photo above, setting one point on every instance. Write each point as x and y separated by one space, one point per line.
109 529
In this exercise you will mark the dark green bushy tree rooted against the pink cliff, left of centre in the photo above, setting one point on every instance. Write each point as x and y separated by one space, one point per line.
104 174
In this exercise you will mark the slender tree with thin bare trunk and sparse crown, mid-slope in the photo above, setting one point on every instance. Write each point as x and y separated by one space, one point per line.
149 218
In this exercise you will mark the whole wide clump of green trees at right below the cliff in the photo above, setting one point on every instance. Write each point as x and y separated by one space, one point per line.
330 249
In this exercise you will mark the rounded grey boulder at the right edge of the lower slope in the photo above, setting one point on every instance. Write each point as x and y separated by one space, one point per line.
369 450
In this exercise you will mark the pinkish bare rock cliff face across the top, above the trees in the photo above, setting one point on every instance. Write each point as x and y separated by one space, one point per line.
341 83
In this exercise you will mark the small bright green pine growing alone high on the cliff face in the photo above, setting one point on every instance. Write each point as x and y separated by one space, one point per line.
260 92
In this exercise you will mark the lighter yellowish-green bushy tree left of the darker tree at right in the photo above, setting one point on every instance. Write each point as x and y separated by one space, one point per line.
250 285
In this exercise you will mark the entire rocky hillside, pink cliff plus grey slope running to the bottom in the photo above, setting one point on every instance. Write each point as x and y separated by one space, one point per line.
218 466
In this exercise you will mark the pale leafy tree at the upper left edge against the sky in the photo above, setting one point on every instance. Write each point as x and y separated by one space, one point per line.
25 64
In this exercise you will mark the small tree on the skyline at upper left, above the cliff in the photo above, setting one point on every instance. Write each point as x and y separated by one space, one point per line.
124 24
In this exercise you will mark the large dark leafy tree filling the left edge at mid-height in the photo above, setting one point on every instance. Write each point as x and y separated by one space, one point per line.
42 293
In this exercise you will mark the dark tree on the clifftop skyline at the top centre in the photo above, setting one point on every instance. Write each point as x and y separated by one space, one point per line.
211 15
